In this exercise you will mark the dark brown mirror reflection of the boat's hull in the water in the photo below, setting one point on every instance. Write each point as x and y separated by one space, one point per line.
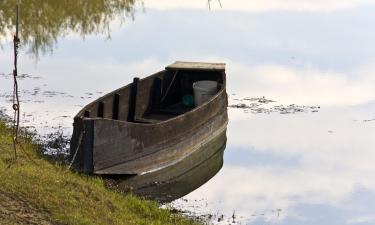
178 180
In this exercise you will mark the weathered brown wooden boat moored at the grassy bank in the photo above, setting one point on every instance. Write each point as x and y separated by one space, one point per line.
144 126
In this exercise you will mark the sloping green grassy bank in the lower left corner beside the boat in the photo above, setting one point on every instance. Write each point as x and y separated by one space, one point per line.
36 191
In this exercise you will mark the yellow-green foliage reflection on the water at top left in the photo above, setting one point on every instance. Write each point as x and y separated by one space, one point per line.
42 22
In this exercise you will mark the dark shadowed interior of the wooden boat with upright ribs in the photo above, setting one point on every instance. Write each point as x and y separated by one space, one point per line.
153 99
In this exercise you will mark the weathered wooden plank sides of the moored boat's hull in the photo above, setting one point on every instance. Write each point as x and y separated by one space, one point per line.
103 145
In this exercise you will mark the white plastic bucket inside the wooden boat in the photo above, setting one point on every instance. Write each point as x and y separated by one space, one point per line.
203 91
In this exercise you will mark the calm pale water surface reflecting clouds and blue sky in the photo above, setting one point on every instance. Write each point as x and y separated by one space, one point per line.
310 167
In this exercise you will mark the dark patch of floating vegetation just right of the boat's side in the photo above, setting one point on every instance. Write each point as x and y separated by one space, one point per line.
258 105
